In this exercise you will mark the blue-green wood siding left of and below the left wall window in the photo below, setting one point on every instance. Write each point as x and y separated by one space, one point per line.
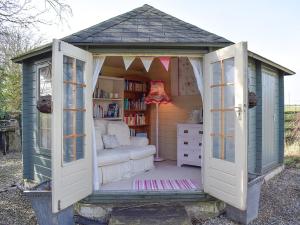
36 163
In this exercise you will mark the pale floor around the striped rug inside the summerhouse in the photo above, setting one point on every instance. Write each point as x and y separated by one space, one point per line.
163 170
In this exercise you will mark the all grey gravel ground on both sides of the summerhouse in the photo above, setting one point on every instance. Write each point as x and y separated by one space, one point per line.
279 204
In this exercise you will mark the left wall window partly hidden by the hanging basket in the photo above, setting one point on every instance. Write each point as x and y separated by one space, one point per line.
44 119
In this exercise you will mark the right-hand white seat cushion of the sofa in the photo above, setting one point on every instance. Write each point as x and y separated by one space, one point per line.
137 152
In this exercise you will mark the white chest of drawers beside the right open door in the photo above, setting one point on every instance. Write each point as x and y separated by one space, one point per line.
189 144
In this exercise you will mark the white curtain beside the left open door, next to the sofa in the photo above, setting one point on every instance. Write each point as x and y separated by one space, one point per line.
97 65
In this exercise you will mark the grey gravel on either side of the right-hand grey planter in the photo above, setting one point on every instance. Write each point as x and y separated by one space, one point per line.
279 202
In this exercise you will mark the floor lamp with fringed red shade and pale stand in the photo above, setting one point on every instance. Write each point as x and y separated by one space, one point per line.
157 95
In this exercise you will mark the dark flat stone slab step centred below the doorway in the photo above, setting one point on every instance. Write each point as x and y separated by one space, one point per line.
150 215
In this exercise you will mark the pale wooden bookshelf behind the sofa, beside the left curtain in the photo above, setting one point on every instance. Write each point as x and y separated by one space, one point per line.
108 98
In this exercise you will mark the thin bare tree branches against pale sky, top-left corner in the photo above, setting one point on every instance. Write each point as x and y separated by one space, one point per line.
27 13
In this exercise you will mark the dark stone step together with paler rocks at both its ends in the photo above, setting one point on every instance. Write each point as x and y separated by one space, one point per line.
151 213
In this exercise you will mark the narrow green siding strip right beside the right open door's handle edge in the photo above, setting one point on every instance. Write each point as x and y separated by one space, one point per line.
251 118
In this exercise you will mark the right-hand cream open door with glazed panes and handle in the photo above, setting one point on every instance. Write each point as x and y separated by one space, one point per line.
225 124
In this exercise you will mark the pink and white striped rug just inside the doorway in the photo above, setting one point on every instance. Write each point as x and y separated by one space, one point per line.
157 185
